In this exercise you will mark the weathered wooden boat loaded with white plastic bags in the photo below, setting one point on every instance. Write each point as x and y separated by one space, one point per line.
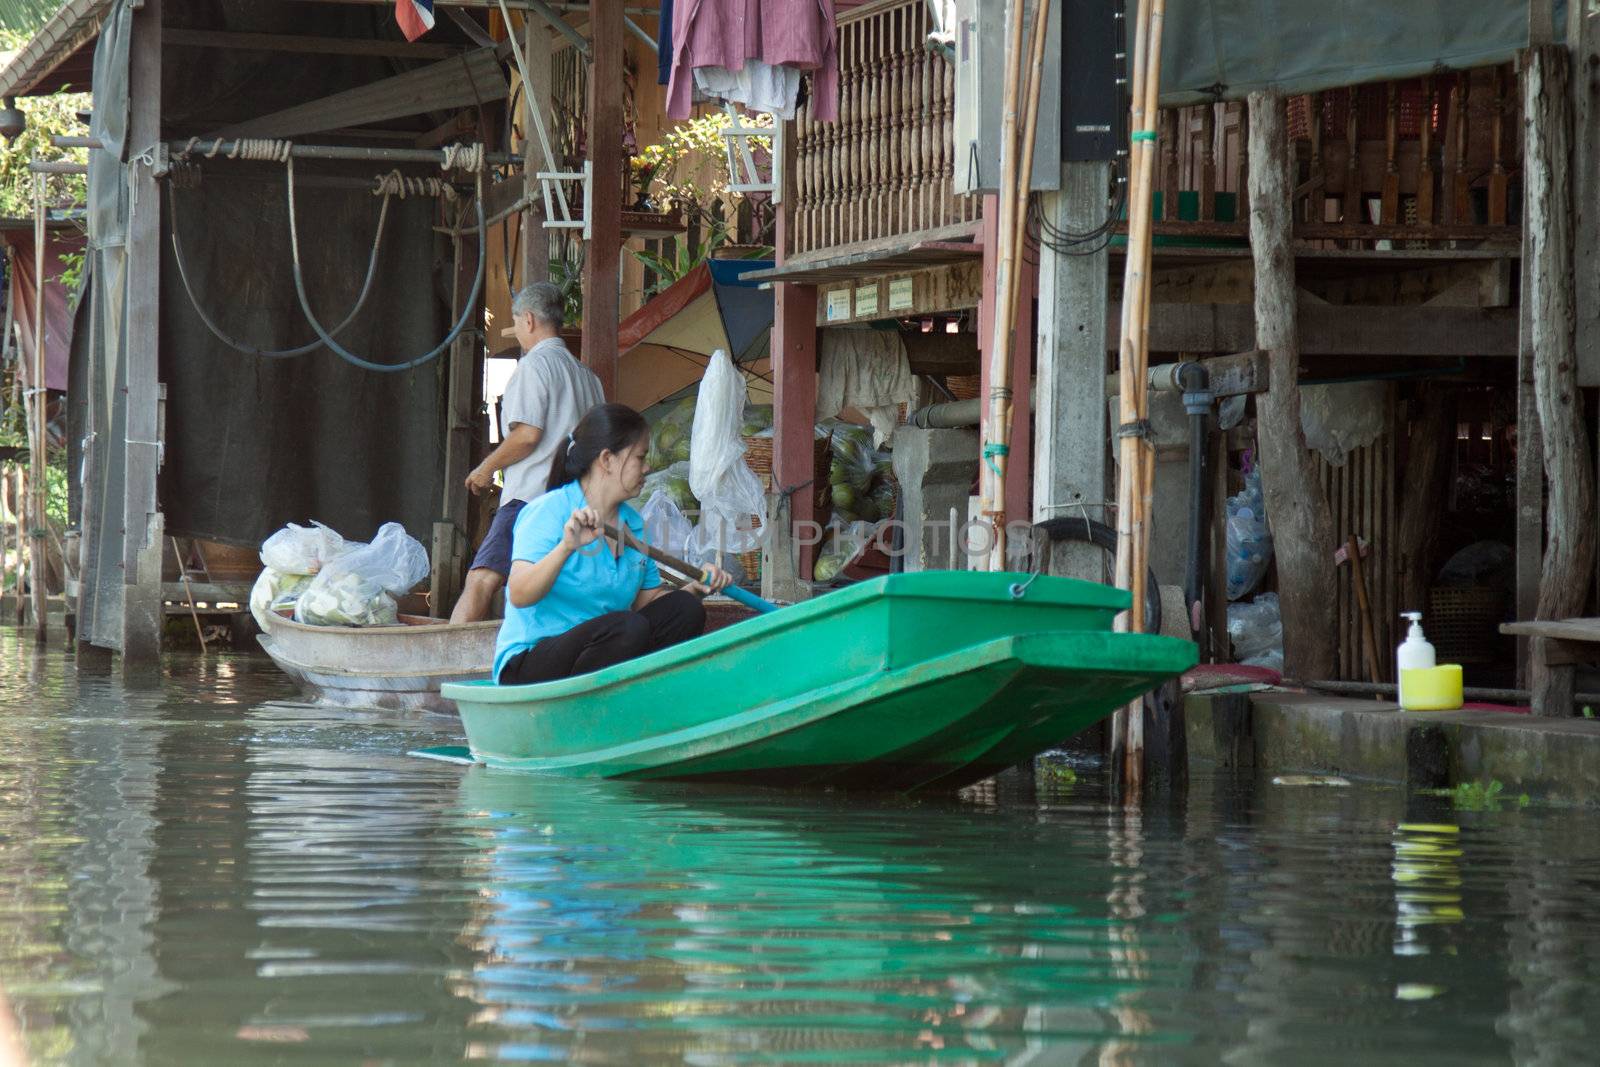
382 666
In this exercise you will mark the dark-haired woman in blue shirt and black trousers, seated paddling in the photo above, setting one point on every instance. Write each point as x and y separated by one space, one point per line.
577 601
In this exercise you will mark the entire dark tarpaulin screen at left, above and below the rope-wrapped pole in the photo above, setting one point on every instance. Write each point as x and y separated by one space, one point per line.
254 444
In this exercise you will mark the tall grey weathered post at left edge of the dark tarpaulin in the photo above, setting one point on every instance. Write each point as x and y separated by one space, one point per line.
142 625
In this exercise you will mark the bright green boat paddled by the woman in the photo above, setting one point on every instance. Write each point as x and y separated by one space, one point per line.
929 681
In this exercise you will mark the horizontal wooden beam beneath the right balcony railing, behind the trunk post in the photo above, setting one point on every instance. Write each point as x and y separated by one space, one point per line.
1340 330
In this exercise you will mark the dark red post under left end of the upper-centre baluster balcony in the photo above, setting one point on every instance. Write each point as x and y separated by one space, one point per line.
794 399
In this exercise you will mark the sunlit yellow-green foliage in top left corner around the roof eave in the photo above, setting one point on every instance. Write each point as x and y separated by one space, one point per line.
47 118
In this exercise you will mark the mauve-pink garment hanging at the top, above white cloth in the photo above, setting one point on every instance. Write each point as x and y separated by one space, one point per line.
727 34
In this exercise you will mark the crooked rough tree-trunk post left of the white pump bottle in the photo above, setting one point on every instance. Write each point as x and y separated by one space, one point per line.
1303 535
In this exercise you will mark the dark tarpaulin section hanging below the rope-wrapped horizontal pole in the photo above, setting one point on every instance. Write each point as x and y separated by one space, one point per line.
254 444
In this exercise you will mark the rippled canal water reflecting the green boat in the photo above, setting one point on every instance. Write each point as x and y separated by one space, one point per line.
215 873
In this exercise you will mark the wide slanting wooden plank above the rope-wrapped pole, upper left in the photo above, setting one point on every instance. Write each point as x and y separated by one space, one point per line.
466 81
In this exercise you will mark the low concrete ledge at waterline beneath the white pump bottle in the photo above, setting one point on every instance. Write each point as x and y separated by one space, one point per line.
1274 733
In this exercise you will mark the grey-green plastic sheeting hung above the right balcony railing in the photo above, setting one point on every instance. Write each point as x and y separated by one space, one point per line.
1226 49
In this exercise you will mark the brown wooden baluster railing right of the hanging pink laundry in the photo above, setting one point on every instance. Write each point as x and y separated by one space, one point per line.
884 169
